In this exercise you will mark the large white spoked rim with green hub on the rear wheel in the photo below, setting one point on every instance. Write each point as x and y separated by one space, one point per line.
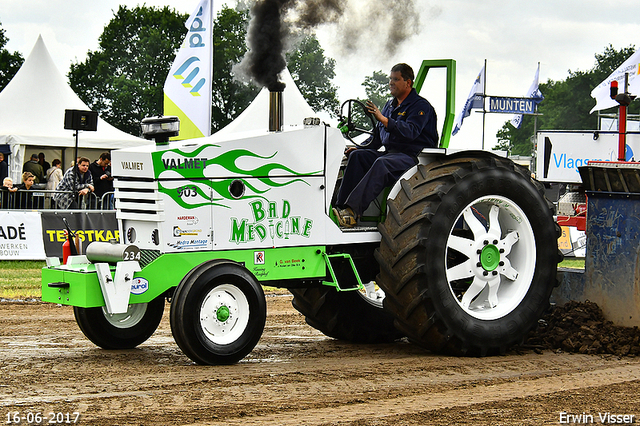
495 272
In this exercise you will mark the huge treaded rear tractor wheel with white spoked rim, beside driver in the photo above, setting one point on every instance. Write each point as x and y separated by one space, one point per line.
468 256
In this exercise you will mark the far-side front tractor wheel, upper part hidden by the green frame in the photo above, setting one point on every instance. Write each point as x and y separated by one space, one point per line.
120 331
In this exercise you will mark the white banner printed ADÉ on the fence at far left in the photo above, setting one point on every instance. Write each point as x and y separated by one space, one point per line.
21 236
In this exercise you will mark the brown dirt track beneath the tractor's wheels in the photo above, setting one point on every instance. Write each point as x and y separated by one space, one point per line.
295 376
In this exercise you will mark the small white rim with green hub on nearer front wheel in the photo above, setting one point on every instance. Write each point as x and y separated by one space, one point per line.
224 314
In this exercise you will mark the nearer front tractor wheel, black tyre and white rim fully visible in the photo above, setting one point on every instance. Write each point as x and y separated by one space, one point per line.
218 313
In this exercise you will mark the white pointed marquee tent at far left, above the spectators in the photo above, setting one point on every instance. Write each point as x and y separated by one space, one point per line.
32 110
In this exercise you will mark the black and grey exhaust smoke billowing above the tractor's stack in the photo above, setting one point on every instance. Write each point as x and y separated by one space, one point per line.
380 25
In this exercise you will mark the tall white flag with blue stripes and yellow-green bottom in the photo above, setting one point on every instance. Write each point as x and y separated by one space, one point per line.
187 89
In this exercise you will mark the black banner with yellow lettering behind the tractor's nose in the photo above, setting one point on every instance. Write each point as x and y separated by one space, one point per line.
91 226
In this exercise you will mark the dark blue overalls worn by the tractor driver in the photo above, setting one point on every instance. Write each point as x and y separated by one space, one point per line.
411 127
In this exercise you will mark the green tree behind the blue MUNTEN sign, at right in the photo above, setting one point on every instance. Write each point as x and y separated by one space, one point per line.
566 103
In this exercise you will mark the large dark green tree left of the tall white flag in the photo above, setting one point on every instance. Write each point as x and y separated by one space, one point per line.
123 79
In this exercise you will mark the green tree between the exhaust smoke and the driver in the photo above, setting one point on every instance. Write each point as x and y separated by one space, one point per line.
313 72
